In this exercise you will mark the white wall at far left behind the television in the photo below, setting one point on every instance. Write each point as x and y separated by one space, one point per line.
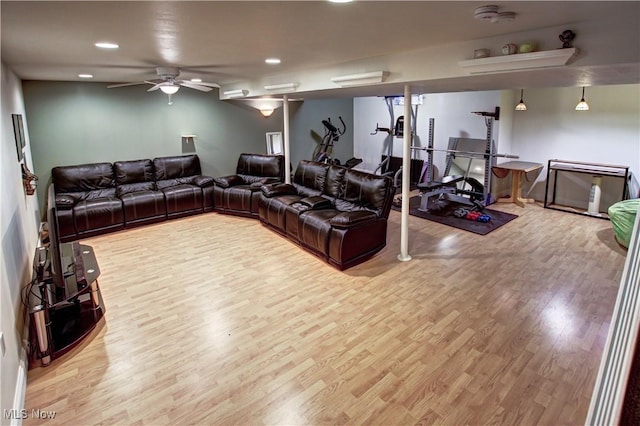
19 227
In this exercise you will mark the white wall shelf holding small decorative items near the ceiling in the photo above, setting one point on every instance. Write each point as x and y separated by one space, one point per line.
520 61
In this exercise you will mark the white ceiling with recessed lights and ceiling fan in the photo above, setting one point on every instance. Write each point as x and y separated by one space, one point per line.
227 42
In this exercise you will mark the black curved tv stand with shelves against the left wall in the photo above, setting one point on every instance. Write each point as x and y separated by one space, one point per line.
60 320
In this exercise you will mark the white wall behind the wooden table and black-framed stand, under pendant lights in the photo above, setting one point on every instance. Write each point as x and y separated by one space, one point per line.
551 128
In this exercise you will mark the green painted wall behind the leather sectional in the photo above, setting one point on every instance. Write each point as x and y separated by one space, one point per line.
75 123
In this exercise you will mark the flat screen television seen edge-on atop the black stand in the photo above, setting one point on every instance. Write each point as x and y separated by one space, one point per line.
61 266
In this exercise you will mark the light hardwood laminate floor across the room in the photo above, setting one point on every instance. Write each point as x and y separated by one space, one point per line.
215 319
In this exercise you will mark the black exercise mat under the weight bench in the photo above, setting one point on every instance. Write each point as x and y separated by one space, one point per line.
497 218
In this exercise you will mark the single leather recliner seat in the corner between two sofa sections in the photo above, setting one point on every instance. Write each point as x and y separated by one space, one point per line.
239 194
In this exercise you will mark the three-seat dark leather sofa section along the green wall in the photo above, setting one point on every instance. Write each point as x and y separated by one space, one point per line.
93 199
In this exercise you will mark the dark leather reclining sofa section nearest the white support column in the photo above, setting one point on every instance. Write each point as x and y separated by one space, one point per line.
336 213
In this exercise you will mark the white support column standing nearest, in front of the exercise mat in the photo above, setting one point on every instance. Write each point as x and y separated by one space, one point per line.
406 167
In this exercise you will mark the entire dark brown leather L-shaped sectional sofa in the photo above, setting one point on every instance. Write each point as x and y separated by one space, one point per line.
336 213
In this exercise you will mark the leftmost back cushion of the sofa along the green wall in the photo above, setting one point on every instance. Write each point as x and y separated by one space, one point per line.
87 181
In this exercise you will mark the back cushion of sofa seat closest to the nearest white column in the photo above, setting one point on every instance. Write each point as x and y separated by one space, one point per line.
365 191
